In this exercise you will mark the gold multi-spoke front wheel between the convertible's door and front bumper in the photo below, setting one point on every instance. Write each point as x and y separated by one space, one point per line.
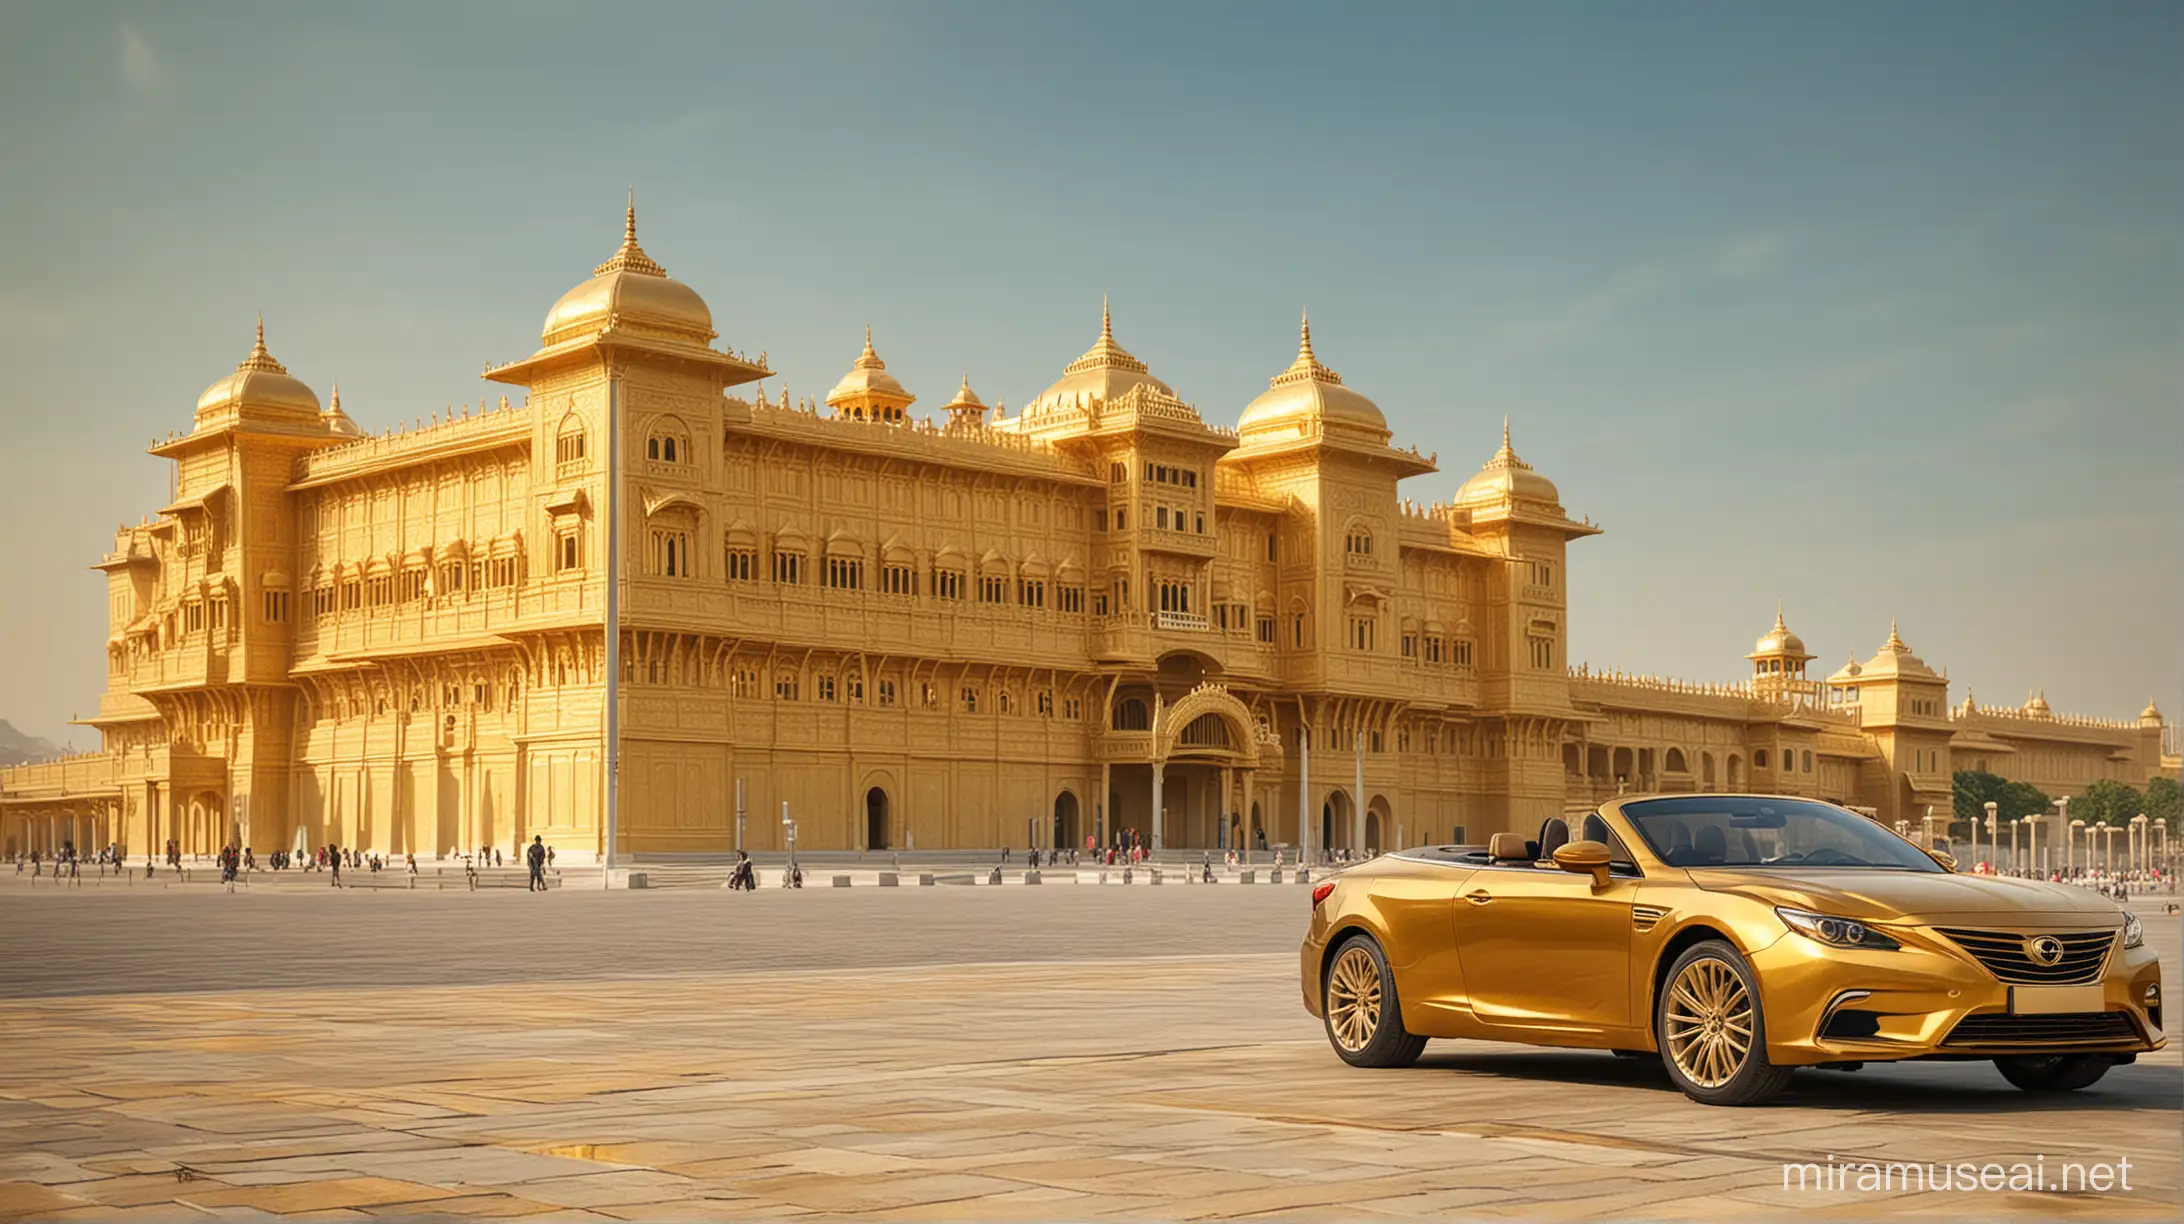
1713 1031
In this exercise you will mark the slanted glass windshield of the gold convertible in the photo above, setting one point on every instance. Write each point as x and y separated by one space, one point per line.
1711 832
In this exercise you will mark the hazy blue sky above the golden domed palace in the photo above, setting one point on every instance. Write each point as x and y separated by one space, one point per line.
1868 309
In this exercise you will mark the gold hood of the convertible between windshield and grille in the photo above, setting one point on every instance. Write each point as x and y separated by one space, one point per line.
1912 897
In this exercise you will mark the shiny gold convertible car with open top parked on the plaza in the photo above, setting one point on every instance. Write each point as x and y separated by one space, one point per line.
1737 937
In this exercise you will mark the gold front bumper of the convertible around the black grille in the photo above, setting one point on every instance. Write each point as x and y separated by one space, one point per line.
1936 1002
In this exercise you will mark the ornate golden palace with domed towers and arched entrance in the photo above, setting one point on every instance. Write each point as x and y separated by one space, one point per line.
1102 615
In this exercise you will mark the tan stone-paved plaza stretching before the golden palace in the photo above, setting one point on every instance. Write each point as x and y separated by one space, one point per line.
1071 1074
